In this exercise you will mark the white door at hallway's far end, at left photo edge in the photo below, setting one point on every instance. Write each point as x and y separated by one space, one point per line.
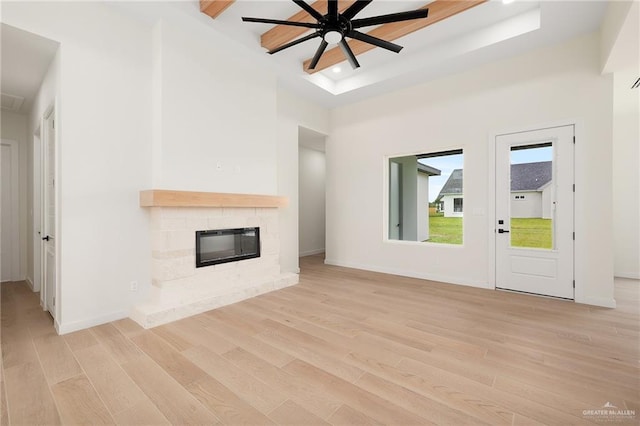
9 226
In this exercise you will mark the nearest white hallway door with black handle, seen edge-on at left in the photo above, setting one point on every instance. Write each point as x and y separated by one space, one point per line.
49 215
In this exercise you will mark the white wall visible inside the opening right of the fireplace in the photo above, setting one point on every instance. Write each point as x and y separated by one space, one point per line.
312 175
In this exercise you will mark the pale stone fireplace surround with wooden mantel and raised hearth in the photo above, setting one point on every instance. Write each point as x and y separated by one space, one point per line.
180 290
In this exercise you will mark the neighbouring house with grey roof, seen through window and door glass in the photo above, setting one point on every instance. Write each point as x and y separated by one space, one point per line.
531 191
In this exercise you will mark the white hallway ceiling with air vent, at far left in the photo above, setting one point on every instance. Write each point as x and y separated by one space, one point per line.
25 59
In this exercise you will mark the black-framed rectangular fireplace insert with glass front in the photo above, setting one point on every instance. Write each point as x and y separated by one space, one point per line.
226 245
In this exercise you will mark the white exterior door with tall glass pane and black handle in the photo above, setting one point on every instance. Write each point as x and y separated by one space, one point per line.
534 212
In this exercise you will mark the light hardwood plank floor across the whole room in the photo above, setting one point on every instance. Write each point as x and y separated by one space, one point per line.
343 347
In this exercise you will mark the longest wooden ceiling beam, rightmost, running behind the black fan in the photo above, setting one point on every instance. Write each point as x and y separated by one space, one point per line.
438 10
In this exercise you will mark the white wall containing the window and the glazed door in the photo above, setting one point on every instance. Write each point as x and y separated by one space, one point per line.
462 111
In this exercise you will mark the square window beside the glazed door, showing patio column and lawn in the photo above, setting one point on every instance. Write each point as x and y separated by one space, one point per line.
426 197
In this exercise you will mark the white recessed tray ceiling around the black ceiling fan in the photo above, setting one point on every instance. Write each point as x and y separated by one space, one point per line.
490 31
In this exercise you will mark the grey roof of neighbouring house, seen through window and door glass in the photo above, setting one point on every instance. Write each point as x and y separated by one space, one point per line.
524 177
